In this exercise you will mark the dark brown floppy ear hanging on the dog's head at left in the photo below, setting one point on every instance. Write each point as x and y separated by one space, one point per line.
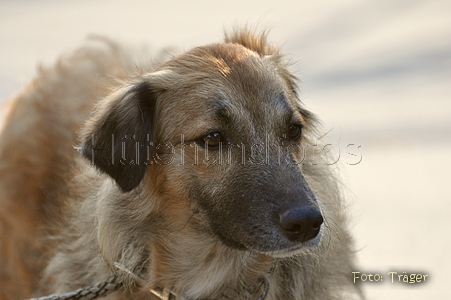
116 139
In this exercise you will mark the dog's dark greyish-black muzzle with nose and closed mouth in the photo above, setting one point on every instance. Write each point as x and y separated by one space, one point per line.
276 221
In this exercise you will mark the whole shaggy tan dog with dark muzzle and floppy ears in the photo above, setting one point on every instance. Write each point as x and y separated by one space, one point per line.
189 178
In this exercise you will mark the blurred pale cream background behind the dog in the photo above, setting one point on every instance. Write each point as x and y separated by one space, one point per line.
377 72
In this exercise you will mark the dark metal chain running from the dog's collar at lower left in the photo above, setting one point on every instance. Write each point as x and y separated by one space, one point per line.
90 292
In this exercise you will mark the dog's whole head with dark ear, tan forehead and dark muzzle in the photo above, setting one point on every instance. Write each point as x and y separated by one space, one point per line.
220 128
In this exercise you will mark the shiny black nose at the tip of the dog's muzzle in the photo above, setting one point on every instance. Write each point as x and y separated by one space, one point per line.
301 224
